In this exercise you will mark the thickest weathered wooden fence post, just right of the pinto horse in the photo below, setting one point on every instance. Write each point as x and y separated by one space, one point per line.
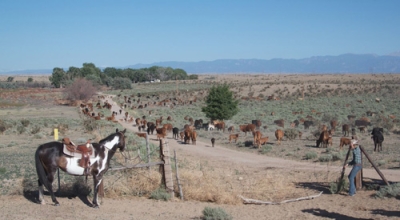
166 168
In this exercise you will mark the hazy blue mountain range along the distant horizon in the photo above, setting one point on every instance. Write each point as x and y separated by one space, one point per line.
346 63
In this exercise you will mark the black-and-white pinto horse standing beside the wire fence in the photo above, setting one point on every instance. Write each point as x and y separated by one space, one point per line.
49 157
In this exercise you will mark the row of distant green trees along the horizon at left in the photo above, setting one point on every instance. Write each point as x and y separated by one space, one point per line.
114 77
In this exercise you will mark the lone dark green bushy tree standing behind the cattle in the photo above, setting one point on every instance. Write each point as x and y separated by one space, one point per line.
220 103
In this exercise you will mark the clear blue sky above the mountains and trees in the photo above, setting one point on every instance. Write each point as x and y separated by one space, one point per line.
51 33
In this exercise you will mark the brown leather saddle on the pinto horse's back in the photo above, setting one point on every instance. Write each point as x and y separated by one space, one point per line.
84 150
